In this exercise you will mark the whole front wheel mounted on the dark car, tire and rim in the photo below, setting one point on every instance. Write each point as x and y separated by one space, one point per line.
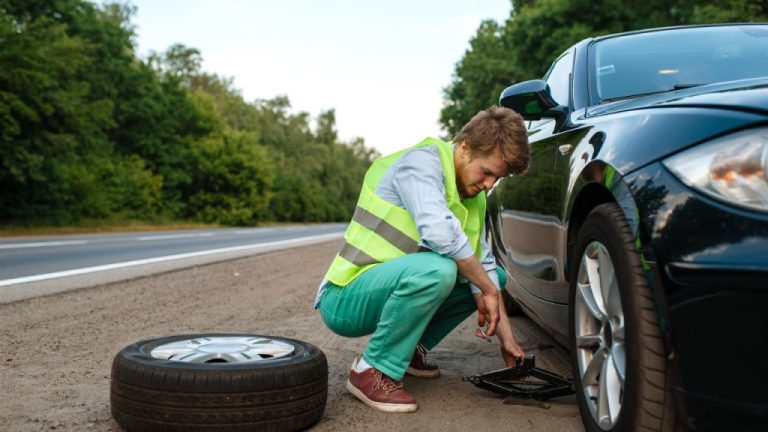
618 354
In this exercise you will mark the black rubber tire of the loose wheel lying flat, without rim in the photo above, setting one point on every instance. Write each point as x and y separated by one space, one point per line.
156 395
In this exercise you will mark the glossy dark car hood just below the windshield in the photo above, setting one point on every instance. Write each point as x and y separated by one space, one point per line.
743 95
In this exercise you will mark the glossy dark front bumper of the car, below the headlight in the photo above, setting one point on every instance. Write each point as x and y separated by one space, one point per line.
711 263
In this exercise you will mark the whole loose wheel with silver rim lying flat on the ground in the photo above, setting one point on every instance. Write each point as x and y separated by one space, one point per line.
222 382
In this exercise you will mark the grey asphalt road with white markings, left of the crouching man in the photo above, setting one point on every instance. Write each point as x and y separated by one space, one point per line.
31 267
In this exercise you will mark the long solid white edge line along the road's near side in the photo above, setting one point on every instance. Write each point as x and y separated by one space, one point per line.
85 270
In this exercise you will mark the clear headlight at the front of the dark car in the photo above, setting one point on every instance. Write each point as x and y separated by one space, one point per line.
732 168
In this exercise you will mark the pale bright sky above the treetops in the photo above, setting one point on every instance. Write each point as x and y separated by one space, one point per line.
382 64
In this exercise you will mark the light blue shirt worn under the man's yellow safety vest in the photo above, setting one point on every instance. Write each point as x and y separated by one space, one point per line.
416 183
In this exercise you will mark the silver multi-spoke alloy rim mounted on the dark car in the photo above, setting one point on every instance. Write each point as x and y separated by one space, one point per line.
600 336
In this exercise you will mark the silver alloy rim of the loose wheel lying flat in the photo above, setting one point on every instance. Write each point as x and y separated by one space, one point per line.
222 349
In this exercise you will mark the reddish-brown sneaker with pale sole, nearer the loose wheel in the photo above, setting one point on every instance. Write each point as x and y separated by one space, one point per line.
379 391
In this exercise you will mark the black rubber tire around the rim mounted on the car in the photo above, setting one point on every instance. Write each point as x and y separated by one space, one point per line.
647 399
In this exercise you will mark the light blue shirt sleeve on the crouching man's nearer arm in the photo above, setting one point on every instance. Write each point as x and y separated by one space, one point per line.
418 181
